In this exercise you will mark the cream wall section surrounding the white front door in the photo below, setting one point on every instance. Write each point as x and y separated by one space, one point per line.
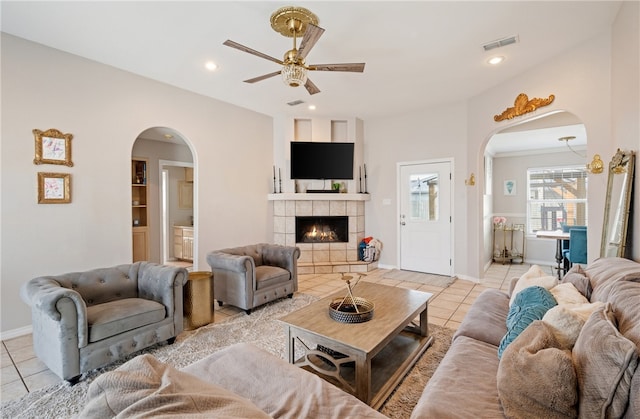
429 134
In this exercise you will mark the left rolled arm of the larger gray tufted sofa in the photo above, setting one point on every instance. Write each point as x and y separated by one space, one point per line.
44 295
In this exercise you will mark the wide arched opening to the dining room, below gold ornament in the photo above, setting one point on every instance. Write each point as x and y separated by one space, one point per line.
509 156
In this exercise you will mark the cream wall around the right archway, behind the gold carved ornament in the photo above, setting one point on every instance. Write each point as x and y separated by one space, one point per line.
580 81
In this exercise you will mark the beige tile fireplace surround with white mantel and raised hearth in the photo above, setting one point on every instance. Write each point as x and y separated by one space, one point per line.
321 258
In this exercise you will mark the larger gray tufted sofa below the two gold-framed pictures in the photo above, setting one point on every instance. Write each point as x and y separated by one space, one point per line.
85 320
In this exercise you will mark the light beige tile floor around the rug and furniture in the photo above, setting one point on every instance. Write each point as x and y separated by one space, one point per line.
22 372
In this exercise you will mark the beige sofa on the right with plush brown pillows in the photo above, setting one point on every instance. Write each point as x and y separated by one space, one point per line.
471 381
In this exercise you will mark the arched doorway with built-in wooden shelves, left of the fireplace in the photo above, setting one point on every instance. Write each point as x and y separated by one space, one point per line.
170 198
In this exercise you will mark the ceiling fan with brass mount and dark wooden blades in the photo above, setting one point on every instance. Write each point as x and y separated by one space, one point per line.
294 22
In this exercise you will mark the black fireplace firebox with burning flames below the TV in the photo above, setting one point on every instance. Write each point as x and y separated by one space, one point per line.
322 229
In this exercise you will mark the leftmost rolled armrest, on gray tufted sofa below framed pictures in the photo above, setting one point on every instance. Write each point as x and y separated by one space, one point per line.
47 297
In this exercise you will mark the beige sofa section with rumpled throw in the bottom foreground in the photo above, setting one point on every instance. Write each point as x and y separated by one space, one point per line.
240 381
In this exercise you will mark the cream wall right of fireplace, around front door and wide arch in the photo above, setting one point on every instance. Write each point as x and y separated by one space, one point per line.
579 78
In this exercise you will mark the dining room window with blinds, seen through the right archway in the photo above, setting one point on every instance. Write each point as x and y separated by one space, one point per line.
556 196
